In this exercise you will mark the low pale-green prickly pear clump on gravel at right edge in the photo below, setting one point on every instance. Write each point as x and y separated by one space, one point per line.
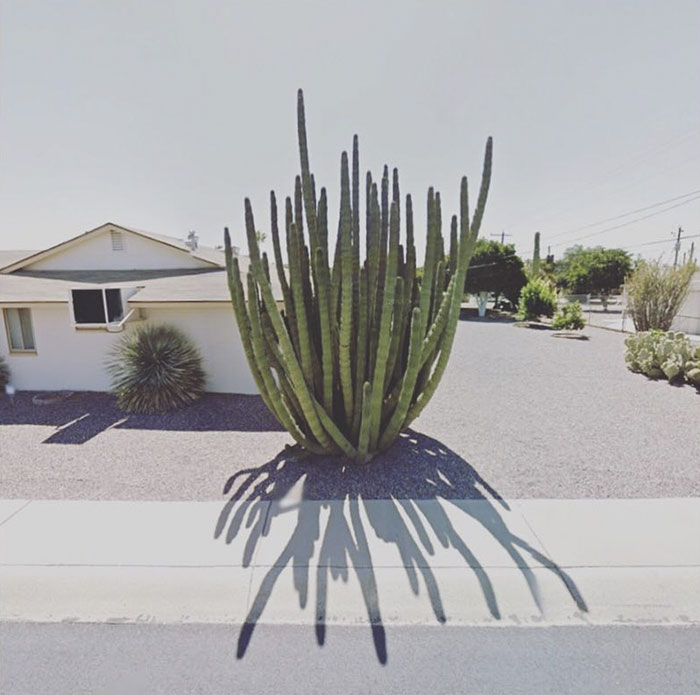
660 354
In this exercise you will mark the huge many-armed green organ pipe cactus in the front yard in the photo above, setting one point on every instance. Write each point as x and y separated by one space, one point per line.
357 346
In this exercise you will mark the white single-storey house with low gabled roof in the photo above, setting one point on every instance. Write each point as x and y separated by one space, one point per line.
65 308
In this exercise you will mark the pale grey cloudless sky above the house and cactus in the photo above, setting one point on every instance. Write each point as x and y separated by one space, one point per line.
164 114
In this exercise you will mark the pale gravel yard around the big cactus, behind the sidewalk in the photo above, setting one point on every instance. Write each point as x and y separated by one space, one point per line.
519 411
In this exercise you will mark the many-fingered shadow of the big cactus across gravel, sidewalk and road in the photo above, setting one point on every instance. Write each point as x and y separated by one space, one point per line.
419 478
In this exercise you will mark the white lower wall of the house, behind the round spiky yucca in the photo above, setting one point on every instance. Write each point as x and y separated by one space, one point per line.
72 359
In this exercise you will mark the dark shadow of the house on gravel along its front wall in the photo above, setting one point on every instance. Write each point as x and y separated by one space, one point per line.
86 414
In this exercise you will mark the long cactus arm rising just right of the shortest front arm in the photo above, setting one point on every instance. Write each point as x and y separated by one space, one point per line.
378 379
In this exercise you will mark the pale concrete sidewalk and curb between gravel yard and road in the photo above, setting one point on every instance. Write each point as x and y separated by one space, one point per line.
465 562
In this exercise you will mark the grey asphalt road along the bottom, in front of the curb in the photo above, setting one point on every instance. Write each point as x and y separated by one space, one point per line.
63 659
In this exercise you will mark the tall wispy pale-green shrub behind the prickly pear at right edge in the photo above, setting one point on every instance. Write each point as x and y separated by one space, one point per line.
656 292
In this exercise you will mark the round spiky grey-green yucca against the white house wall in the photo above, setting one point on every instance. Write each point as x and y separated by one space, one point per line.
154 369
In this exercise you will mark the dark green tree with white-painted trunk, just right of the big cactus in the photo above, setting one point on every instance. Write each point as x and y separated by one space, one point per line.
496 268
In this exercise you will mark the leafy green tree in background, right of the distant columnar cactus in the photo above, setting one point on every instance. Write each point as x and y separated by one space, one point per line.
593 270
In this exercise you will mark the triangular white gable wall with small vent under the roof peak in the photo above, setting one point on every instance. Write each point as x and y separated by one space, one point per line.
95 253
